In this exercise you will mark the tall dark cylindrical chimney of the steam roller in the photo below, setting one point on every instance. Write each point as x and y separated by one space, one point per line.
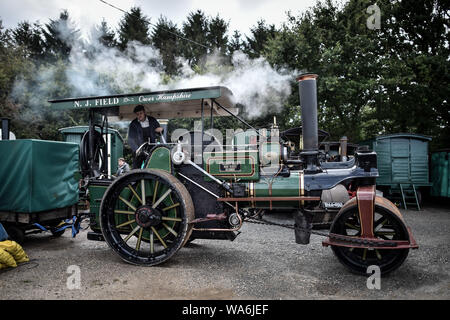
308 103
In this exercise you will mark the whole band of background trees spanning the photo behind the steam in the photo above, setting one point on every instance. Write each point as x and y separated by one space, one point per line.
371 82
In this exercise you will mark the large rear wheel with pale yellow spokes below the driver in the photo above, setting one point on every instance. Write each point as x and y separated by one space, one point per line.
145 216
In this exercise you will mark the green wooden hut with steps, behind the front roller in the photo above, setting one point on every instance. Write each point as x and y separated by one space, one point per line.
403 164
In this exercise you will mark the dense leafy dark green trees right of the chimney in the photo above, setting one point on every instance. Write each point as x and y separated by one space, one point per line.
371 82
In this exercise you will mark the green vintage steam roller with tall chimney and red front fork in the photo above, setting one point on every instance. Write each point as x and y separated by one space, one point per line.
186 191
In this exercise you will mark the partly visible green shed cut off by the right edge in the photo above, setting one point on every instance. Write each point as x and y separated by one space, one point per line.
440 173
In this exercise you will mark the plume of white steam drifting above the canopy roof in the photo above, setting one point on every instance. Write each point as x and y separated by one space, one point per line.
94 69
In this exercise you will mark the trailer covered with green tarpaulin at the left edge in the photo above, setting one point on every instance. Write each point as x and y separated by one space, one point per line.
39 186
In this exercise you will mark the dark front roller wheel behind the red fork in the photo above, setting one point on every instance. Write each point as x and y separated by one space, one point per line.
387 226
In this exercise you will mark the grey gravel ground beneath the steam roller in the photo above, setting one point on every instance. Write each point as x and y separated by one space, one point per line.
264 262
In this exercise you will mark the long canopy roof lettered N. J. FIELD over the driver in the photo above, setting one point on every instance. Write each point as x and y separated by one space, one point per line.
182 103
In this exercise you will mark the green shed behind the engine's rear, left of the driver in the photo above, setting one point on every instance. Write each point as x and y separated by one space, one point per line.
115 141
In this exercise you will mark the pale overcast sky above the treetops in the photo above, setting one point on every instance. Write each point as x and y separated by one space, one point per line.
241 14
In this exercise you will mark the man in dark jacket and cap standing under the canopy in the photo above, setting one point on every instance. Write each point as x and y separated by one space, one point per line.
142 129
